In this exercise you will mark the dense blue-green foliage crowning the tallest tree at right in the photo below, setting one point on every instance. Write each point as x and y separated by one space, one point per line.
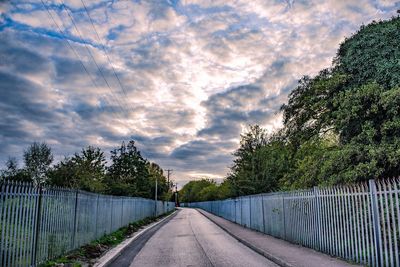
372 55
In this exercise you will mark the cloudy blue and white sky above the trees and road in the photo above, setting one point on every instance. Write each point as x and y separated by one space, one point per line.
182 78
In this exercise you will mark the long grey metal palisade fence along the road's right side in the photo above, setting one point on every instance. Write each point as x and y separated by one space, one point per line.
358 222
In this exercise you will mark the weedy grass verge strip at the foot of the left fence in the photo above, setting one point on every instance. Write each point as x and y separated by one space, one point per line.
87 254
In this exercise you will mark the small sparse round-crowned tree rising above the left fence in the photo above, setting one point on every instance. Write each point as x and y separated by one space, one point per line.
38 158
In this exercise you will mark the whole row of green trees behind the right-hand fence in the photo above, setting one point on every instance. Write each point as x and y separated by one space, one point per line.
341 126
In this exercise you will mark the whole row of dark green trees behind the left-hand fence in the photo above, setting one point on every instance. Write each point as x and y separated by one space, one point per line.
127 174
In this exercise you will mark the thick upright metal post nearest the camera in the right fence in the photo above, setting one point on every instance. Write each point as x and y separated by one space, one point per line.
376 222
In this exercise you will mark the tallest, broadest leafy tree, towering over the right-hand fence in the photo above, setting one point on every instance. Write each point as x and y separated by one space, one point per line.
344 124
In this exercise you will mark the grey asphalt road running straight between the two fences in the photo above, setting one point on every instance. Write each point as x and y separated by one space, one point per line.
190 239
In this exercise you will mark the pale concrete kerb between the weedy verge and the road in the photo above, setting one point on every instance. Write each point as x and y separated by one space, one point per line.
113 253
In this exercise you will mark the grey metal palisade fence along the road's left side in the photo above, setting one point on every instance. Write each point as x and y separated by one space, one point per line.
38 224
